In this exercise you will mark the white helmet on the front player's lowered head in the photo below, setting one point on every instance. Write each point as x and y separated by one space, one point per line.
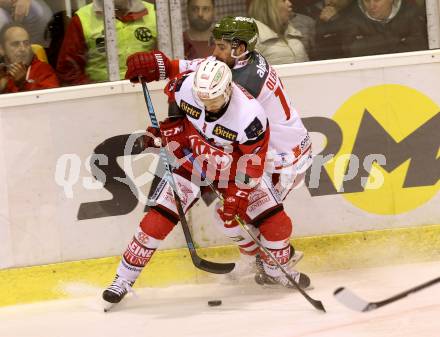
213 79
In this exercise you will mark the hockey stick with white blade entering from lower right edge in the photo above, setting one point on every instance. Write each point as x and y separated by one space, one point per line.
354 302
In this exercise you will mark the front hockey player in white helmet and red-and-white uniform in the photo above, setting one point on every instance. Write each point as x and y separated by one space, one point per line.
227 131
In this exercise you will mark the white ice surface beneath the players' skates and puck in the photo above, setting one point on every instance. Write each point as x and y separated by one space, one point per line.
247 310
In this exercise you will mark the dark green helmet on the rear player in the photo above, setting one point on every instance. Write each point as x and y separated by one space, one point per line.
237 29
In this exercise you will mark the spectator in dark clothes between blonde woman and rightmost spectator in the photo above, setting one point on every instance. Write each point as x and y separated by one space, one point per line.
331 27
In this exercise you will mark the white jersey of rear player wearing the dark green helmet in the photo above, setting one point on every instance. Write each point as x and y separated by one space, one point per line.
289 139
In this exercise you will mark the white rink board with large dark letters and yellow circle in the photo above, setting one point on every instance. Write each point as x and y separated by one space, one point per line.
53 211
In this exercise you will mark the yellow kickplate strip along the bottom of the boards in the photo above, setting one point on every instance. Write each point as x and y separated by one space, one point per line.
170 267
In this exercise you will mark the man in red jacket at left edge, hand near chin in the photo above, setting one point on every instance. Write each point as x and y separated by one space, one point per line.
21 70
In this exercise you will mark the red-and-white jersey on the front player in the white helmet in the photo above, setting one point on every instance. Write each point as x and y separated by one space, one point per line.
227 143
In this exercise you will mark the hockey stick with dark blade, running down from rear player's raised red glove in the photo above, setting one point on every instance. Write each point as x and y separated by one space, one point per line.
209 266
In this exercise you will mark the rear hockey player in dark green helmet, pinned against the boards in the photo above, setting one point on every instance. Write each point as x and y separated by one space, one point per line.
235 38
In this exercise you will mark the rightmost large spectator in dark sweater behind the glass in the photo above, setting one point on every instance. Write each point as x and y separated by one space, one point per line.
383 27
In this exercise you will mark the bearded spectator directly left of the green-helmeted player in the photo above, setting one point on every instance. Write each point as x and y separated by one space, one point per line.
196 39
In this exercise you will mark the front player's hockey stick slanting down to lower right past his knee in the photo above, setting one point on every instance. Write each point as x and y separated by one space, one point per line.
317 304
